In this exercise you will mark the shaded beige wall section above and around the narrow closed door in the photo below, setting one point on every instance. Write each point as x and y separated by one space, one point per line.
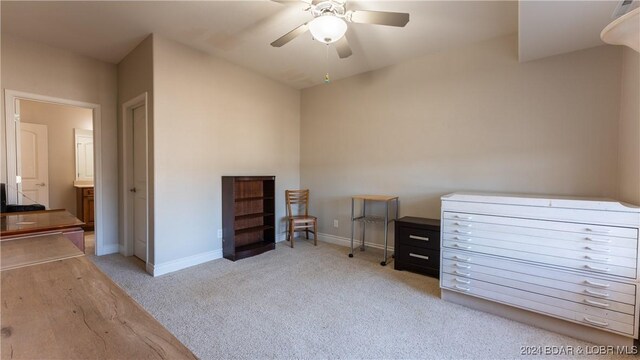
135 77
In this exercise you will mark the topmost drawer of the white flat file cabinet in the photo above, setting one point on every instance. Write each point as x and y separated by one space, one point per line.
585 229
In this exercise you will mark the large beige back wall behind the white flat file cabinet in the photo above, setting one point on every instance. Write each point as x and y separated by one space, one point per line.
468 119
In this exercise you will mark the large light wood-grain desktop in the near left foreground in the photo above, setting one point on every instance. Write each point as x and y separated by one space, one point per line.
69 309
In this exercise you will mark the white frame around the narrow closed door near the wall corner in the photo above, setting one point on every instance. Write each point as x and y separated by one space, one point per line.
127 170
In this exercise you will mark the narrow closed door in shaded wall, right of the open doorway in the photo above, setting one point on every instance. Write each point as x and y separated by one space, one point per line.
139 190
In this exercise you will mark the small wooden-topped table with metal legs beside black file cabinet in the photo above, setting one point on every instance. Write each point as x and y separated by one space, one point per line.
364 218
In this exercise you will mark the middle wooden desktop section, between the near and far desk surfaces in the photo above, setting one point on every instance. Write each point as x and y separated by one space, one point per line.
35 250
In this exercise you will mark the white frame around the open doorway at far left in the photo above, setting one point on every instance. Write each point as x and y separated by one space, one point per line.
12 140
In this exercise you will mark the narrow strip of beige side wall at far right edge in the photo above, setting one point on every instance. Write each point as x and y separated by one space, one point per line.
629 157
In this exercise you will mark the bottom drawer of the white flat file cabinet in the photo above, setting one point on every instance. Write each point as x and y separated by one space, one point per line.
567 310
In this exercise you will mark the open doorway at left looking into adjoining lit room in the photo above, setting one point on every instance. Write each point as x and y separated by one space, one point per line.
51 157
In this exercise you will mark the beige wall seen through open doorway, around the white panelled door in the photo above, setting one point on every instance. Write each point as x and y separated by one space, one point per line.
61 122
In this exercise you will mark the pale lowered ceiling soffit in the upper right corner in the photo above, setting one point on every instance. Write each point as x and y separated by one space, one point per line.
549 28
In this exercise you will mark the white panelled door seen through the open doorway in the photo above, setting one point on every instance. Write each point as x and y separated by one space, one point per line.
34 164
